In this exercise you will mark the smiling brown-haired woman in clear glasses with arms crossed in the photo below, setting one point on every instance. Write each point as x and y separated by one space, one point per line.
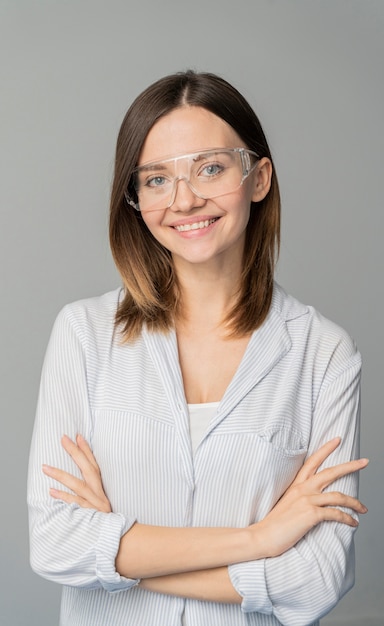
219 485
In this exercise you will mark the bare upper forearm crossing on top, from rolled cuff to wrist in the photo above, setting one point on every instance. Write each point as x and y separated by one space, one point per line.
150 551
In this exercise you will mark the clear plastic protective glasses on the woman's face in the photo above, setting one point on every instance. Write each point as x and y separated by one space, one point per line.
209 174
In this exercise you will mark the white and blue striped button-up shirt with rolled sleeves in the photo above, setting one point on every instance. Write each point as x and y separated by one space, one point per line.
296 387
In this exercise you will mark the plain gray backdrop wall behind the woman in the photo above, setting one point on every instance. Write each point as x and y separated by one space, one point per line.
313 70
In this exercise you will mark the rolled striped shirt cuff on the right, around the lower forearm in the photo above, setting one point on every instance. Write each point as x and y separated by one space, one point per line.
250 583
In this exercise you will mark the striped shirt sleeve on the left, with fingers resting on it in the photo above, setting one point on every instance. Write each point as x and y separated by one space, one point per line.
69 545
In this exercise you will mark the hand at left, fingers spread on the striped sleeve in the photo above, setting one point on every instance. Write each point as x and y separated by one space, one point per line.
88 492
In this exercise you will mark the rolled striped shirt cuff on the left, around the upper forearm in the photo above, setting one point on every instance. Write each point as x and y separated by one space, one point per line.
113 528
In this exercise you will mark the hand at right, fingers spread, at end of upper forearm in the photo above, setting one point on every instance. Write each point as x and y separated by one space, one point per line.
304 504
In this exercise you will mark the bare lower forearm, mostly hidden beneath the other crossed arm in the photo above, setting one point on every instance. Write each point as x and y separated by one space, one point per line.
211 585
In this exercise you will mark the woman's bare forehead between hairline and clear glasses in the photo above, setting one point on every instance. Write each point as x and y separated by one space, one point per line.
185 130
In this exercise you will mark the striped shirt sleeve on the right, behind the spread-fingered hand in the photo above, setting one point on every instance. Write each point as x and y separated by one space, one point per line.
305 583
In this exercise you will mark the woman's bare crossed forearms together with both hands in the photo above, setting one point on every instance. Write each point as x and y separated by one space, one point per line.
192 562
